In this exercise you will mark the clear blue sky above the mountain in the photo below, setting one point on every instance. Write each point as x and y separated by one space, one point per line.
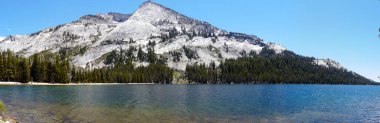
343 30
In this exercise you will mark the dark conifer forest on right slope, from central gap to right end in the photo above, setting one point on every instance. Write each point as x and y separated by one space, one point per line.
267 67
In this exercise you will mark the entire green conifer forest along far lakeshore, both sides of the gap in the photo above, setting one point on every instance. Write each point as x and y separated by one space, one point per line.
266 67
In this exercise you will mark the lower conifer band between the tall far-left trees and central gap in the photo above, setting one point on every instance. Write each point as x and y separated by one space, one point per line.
125 73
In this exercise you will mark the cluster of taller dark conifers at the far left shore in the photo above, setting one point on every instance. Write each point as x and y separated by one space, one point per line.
37 68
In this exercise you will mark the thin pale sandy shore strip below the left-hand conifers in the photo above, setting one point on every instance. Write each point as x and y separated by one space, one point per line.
69 84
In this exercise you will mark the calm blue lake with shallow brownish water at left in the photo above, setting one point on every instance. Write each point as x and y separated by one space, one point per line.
193 103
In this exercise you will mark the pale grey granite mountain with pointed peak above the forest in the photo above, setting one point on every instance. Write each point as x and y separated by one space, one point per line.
178 39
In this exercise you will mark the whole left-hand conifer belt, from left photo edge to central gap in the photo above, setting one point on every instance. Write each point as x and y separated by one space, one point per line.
52 68
